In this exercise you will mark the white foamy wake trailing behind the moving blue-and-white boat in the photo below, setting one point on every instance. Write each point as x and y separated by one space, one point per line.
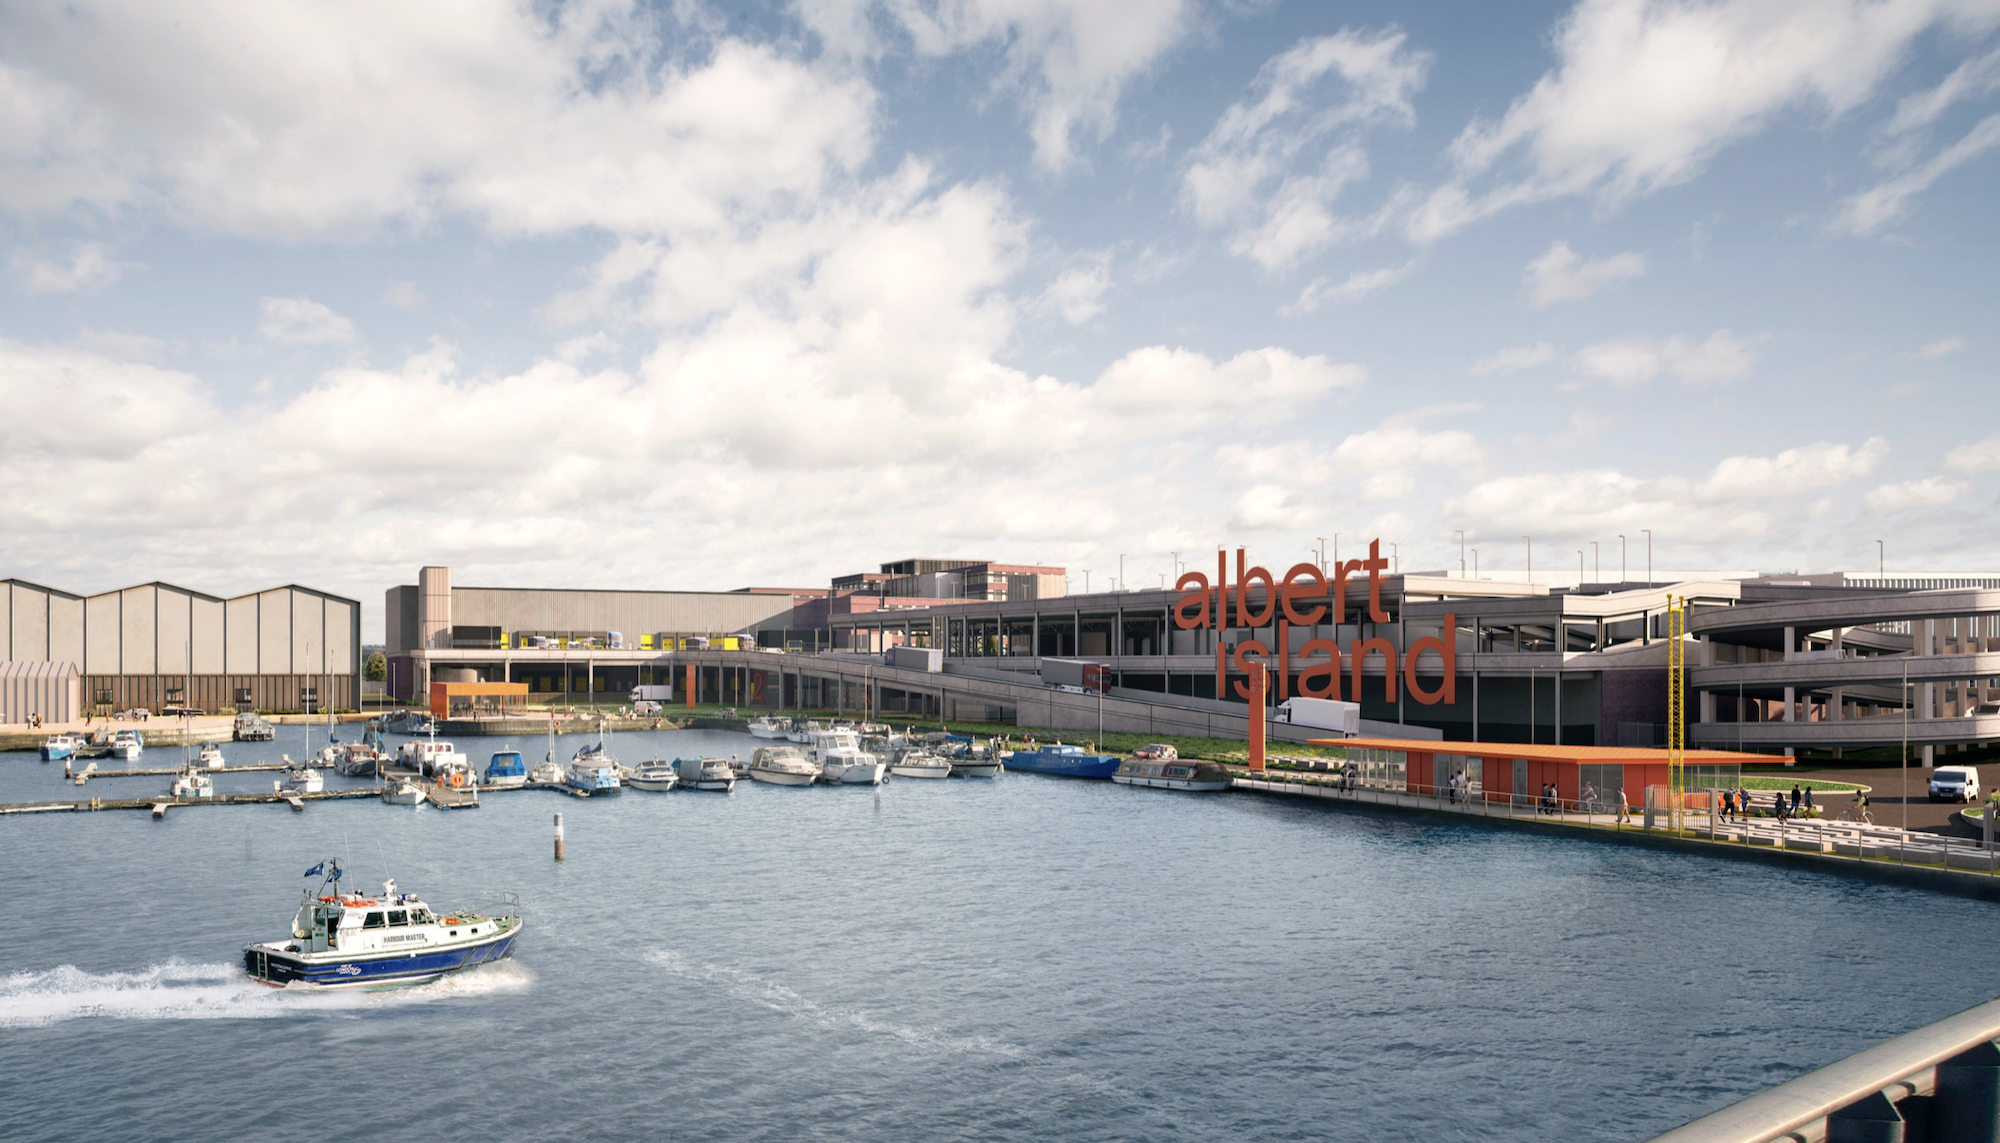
179 990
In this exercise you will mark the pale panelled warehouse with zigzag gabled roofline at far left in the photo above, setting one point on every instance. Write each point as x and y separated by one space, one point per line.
161 646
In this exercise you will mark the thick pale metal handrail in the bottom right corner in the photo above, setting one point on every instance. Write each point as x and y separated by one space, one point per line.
1801 1104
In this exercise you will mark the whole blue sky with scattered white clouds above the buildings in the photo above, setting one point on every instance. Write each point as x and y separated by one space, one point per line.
699 297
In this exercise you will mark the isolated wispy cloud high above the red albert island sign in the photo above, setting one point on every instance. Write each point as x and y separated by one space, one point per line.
1277 161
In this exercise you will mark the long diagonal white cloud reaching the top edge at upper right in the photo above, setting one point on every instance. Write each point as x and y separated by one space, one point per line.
1645 93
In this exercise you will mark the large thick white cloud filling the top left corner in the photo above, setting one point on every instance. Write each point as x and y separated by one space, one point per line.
523 119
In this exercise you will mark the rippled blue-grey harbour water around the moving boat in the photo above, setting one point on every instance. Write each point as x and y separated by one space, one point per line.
1007 960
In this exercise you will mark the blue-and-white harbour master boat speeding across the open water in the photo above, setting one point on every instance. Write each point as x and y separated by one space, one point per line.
345 940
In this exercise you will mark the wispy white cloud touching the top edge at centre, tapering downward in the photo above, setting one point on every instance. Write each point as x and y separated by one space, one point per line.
1069 61
